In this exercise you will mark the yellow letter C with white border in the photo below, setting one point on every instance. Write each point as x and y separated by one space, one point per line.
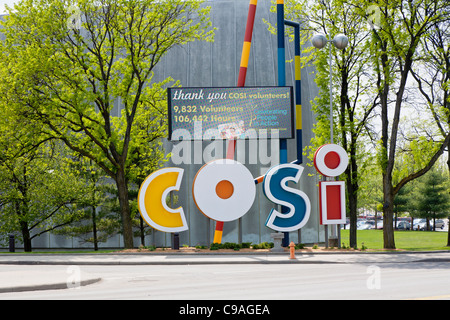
152 200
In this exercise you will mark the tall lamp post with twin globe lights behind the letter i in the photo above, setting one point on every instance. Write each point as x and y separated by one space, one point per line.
340 41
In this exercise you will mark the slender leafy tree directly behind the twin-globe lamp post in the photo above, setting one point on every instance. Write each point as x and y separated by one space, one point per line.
355 99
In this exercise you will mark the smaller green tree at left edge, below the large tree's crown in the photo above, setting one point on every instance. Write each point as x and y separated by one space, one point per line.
39 192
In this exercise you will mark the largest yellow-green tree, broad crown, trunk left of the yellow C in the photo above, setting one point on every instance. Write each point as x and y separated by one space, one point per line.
68 79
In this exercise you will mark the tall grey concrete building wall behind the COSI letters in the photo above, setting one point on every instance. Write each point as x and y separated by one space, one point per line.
202 64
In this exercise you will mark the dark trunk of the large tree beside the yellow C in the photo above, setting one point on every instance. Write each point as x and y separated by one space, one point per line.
122 189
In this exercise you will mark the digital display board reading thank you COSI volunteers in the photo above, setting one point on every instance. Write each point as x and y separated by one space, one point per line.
231 113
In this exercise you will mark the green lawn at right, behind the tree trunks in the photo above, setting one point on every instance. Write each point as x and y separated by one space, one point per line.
405 240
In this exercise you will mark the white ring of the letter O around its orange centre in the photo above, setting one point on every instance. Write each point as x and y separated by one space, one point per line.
206 198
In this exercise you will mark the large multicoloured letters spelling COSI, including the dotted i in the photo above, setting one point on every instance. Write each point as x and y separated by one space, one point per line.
224 190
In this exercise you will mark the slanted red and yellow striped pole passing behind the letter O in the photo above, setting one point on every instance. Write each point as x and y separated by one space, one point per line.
241 82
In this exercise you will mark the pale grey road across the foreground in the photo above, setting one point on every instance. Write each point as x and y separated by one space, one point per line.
325 281
